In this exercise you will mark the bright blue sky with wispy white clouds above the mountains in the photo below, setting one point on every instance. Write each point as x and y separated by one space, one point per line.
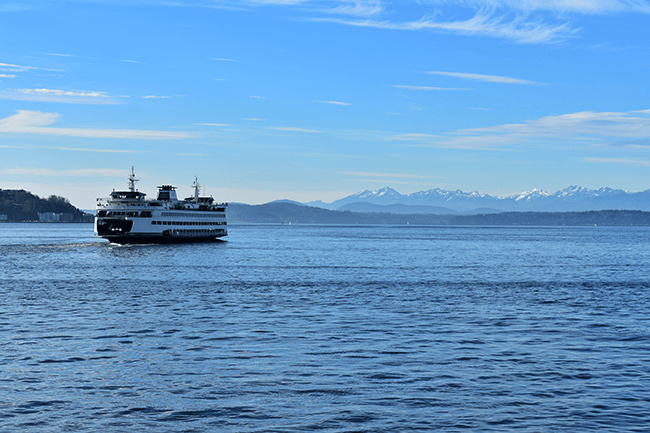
315 100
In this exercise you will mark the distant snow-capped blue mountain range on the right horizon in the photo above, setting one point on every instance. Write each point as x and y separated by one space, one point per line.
438 201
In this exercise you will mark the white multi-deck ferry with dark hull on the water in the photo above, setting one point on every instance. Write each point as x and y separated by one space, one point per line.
127 217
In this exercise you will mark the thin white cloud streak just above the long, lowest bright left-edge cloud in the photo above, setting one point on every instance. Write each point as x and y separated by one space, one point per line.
59 95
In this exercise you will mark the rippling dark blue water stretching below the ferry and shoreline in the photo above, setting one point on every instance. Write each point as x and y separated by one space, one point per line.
326 328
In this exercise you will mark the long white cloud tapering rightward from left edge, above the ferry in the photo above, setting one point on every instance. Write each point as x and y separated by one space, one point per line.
36 122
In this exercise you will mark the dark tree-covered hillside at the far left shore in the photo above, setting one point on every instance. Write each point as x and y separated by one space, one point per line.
21 205
